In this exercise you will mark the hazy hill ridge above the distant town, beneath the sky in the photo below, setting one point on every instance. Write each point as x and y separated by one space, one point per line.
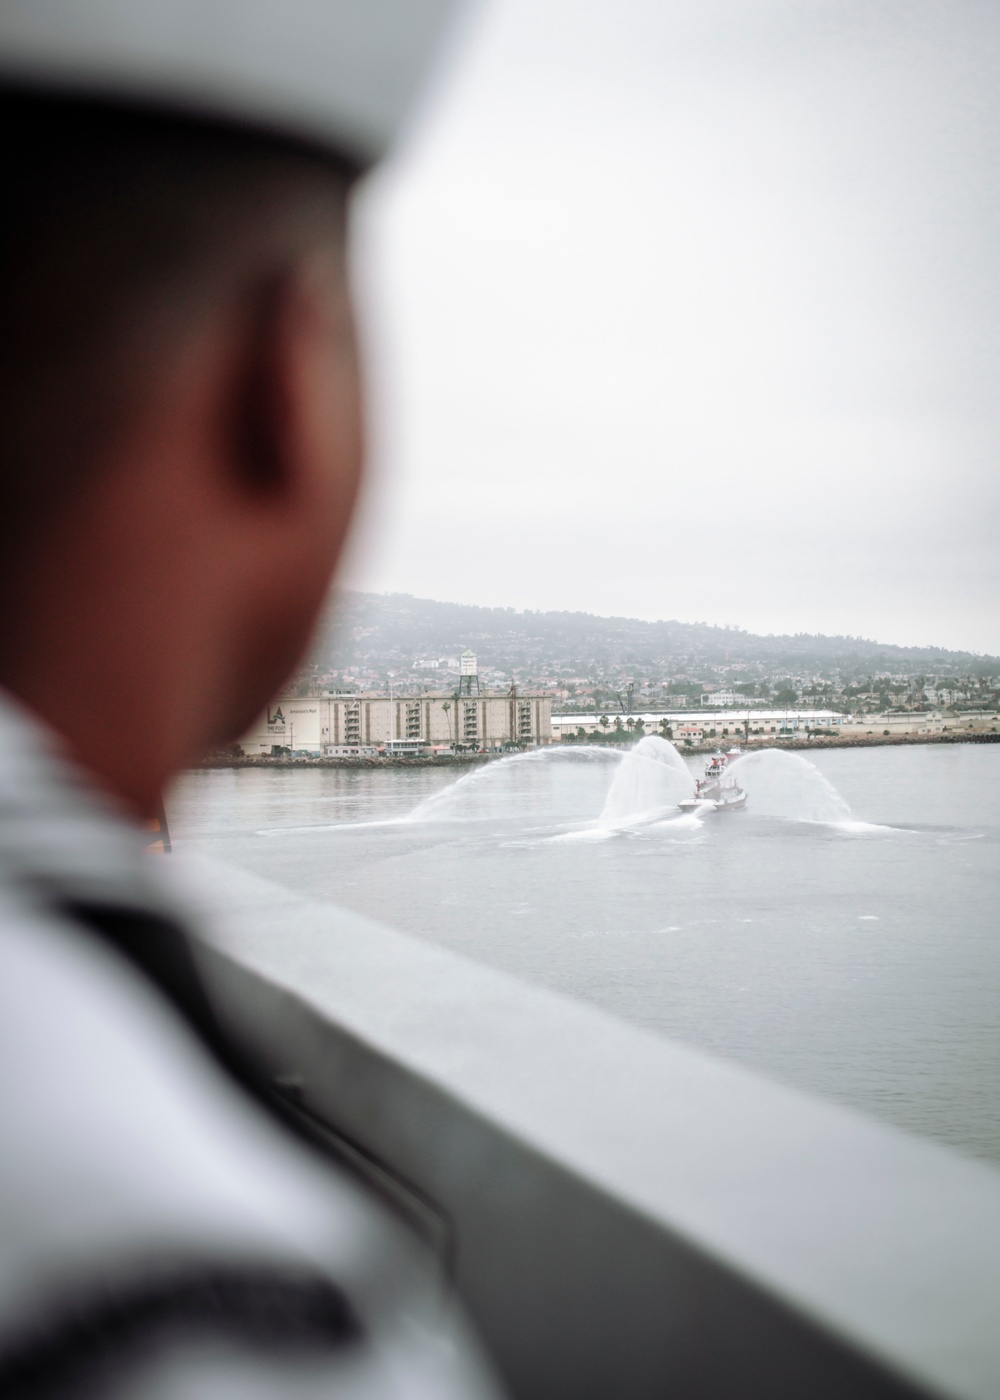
397 628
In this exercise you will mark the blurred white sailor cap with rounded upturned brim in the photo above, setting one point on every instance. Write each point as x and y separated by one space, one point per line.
338 73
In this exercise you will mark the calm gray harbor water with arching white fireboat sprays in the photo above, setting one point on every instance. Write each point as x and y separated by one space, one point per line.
841 933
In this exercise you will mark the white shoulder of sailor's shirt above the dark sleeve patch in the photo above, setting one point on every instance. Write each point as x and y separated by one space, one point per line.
120 1130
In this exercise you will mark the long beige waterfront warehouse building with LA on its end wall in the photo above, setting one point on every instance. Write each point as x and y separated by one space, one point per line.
345 724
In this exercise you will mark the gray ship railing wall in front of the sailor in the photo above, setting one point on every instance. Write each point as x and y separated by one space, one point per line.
621 1216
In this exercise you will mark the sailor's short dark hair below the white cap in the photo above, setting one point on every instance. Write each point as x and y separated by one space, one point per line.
113 222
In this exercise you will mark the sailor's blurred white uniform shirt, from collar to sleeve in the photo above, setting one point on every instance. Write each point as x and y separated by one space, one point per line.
160 1234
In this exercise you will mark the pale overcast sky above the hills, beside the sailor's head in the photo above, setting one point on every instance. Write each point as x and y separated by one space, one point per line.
691 309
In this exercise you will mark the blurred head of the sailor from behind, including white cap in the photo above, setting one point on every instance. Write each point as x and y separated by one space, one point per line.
180 405
